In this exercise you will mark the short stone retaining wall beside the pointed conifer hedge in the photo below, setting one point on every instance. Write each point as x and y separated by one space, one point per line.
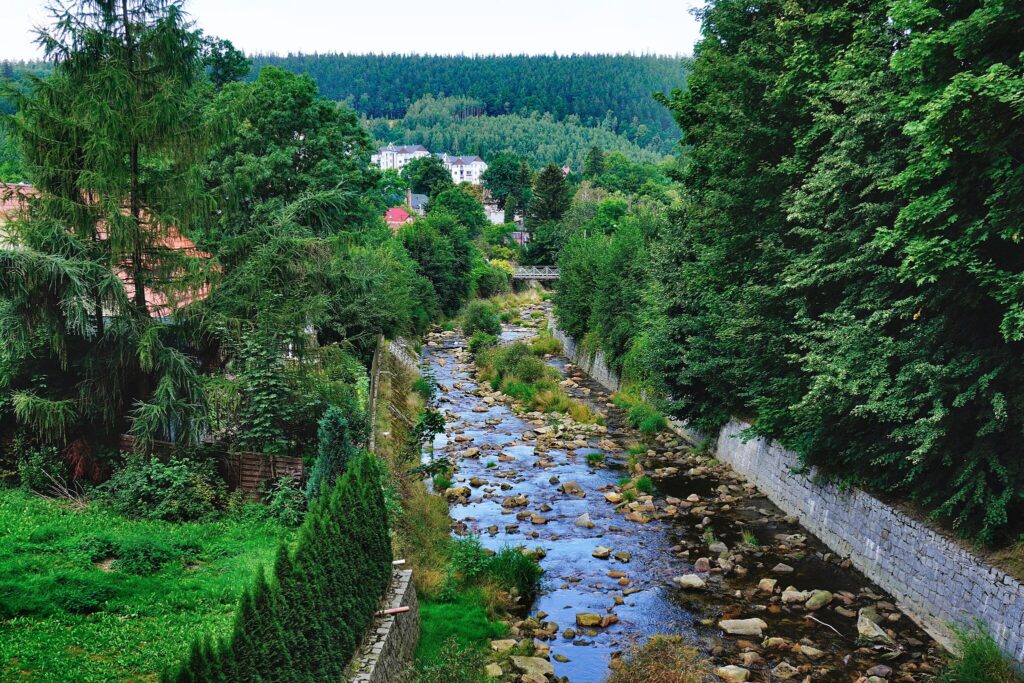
387 655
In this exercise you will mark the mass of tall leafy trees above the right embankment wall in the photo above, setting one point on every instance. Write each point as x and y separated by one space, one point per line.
845 268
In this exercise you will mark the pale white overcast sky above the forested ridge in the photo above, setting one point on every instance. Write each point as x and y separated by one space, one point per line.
437 27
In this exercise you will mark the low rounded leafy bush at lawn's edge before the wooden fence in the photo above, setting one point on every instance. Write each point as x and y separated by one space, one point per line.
182 490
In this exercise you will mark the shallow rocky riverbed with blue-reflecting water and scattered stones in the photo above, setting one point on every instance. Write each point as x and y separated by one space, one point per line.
706 556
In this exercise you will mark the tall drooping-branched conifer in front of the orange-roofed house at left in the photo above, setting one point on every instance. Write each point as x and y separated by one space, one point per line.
111 142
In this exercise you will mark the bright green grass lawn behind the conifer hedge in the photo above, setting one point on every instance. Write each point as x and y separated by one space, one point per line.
88 595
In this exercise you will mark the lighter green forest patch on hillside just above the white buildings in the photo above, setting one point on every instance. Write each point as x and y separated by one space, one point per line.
458 125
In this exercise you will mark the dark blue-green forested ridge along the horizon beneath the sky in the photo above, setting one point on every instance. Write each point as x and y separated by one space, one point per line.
588 87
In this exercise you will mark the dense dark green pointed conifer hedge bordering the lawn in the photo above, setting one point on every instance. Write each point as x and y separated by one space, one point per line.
305 621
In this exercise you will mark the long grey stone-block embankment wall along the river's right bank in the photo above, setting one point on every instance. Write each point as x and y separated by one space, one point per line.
936 581
